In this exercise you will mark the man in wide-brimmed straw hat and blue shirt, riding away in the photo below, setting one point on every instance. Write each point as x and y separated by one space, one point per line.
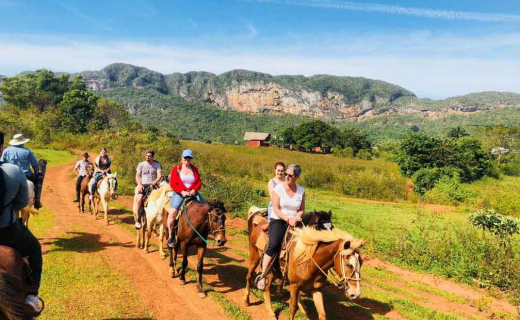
25 159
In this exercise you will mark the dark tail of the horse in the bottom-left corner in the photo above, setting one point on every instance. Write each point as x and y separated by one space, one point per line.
10 288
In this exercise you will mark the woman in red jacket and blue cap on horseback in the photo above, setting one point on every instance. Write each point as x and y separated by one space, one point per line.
185 182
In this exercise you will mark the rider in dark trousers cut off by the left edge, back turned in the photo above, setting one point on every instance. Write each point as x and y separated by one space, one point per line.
12 231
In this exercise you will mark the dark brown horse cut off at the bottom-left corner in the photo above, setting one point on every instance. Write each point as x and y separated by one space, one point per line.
13 281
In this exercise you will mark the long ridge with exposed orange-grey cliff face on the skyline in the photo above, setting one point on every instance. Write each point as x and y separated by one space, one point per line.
319 96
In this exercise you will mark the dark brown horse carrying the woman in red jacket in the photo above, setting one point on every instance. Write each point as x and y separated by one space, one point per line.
196 222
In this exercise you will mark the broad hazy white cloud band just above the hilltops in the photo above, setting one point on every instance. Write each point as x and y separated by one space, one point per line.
431 65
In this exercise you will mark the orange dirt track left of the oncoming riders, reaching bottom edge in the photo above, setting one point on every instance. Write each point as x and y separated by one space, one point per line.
148 273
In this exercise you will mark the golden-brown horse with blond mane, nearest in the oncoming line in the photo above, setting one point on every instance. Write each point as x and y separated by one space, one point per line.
321 251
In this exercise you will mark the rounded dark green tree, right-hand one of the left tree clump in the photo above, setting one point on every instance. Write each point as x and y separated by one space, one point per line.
76 110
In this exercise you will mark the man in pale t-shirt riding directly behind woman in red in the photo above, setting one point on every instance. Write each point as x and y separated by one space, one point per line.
149 173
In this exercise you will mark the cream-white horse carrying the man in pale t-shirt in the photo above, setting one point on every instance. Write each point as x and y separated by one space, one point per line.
156 209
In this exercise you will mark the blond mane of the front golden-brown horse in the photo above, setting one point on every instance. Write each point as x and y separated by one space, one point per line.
307 240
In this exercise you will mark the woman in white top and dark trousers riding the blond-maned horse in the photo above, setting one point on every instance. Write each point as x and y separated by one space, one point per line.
288 207
